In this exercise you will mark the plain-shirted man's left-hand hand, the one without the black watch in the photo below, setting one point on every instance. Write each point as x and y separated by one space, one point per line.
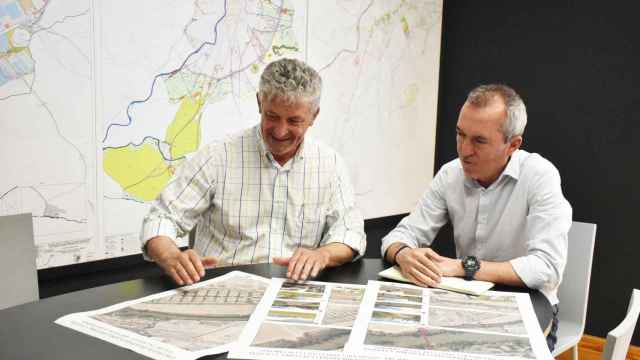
420 266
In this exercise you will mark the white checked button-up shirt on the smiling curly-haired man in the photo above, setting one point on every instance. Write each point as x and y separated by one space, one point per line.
249 209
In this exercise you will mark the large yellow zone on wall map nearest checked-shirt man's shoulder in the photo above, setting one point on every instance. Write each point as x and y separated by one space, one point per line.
140 170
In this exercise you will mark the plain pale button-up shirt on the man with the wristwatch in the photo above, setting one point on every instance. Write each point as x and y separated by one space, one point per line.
522 217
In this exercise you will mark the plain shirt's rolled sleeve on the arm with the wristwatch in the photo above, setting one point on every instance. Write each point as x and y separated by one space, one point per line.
548 224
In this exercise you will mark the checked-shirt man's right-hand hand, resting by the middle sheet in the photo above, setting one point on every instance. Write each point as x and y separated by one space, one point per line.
304 263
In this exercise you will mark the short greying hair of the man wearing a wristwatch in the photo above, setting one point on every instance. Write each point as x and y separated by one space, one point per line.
516 120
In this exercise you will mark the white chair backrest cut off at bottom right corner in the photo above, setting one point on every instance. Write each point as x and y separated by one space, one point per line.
618 339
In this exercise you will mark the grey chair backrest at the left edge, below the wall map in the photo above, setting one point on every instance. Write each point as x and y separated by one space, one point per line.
18 274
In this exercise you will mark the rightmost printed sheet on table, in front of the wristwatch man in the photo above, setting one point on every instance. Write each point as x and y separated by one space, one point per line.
407 322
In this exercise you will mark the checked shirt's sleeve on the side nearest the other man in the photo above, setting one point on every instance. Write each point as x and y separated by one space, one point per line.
344 222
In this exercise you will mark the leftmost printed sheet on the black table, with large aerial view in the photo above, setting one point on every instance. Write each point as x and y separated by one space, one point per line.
185 323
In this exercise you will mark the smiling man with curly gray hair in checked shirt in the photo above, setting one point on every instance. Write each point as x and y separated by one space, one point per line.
266 195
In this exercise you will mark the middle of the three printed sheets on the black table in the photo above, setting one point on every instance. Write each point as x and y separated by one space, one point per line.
300 320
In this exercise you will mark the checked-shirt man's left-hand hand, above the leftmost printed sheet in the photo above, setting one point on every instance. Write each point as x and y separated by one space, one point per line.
184 267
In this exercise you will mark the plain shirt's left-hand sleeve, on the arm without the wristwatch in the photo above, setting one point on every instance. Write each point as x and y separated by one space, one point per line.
420 227
